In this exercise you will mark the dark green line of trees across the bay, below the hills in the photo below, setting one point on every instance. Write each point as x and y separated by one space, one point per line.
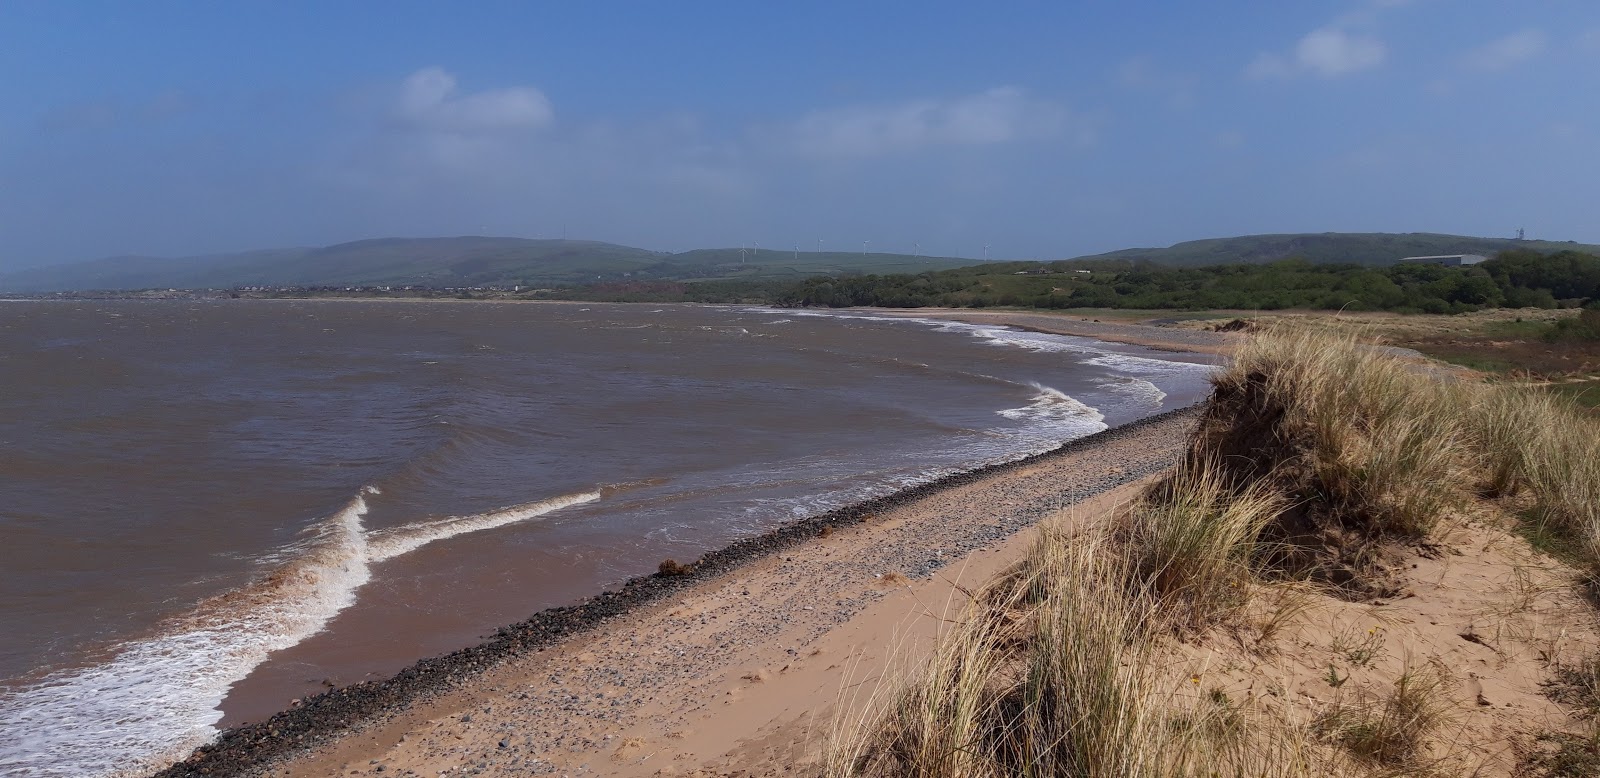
1511 279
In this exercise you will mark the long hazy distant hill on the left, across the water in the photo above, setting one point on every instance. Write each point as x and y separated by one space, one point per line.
455 262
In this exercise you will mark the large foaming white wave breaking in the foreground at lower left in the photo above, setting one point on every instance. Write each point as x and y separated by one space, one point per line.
159 699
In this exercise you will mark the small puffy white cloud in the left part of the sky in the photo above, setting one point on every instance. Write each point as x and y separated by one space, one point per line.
430 98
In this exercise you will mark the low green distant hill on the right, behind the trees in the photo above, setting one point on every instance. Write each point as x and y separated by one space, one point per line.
1377 249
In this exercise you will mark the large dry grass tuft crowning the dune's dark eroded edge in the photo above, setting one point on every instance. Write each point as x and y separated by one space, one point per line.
1340 425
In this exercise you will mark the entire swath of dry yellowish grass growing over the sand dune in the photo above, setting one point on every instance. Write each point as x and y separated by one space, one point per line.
1065 667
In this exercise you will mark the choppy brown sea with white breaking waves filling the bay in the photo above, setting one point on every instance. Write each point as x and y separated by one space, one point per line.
212 508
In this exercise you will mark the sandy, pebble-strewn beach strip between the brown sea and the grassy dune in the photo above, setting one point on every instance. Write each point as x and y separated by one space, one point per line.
740 668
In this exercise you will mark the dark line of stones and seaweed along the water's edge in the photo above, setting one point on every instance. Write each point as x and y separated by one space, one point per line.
319 718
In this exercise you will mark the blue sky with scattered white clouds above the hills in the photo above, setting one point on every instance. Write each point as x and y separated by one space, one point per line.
1034 129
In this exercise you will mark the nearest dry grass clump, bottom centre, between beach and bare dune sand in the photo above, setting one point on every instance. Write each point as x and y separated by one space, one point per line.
1058 667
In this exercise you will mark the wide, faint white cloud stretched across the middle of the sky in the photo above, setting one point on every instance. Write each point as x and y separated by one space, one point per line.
990 118
